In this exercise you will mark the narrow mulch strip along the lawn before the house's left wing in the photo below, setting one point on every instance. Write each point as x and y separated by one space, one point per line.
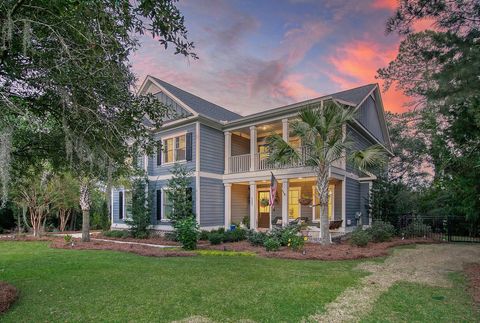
137 249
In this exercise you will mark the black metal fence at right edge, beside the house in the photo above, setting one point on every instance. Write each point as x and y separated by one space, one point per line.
442 228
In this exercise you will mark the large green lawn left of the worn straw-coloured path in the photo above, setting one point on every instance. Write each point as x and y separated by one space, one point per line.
70 285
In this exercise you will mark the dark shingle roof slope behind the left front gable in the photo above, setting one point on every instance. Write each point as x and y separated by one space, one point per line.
200 105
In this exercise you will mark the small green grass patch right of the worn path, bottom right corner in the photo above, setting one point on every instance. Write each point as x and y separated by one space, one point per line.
409 302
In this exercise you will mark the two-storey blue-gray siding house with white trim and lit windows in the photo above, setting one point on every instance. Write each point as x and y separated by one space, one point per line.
227 155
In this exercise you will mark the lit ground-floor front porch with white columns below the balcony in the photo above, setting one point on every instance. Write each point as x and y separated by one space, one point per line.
295 202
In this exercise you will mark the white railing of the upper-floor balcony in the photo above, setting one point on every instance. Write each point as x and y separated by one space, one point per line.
241 163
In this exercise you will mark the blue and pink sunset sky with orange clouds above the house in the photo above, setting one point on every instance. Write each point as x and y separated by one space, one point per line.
255 55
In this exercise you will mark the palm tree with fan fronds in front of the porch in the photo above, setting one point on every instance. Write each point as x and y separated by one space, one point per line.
320 128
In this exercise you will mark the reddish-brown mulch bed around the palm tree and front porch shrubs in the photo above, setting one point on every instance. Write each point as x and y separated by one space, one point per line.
313 251
